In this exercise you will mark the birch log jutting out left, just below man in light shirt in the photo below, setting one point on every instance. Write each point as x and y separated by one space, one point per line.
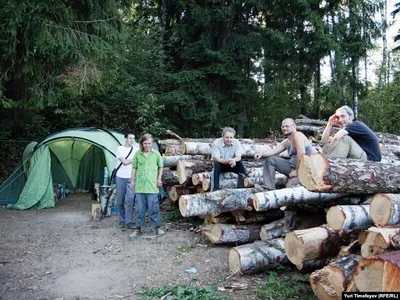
215 202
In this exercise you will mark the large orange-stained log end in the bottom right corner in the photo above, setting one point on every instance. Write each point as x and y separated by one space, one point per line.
378 273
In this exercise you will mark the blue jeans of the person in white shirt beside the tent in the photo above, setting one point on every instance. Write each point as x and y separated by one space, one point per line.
125 199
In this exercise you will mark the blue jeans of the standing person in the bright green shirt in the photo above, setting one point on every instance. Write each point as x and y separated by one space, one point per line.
151 201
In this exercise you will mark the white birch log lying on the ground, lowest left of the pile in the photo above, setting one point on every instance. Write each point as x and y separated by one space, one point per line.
257 256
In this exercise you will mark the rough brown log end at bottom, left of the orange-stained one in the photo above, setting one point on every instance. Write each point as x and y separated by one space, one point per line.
322 283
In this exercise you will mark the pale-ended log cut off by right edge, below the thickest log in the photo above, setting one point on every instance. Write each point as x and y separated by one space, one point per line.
385 209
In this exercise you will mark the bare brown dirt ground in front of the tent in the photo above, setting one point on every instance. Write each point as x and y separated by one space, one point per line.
60 254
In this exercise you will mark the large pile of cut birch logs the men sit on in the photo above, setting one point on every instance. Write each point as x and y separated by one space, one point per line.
342 222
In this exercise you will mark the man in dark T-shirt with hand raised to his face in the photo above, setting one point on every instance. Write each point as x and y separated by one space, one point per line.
354 139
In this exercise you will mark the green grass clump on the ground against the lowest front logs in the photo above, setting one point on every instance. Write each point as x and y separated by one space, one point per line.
285 287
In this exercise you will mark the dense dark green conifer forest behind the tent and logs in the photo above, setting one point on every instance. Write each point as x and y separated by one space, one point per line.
190 66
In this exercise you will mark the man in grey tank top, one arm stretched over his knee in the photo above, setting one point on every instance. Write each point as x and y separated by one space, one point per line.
296 145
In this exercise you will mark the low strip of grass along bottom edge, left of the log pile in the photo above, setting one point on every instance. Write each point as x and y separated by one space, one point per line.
182 293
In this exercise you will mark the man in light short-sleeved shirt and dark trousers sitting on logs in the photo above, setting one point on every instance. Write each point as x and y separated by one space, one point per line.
227 154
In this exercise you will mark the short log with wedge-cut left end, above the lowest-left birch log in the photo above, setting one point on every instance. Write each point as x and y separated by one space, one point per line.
233 234
